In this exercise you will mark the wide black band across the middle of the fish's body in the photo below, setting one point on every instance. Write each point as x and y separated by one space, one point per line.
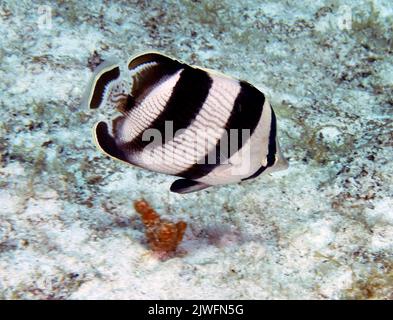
184 104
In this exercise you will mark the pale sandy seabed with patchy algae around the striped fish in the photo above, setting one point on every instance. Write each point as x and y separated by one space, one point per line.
323 229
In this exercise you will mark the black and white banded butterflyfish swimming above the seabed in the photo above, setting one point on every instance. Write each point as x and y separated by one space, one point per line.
187 121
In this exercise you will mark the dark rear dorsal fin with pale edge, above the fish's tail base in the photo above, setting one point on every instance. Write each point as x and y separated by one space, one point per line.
149 69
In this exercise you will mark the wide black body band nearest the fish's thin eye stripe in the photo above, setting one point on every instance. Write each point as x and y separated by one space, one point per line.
246 113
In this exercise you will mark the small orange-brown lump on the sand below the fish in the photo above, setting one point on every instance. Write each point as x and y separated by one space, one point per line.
162 235
